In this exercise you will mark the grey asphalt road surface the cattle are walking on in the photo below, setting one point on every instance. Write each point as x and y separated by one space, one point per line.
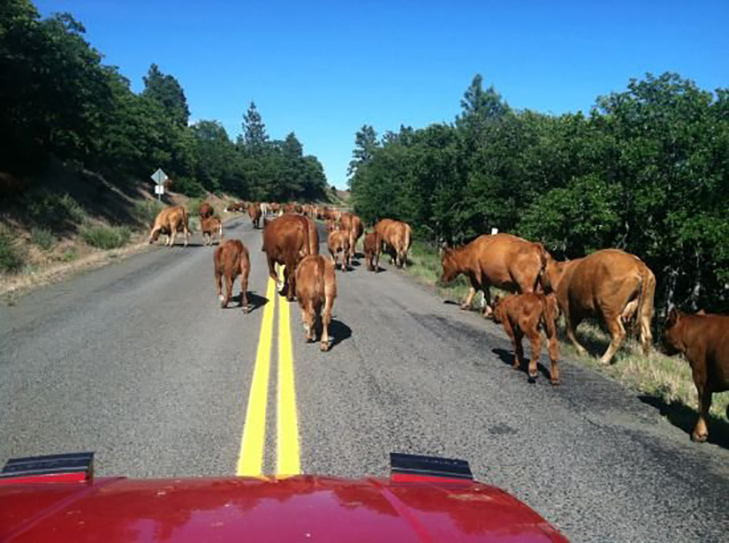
137 362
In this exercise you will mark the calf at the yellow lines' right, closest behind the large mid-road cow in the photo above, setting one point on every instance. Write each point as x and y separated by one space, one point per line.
316 285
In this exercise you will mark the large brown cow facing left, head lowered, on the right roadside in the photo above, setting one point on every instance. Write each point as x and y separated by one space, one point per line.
502 260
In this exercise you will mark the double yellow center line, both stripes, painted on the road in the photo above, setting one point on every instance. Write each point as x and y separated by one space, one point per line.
252 446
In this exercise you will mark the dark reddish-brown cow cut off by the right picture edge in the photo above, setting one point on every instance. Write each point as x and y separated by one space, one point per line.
704 341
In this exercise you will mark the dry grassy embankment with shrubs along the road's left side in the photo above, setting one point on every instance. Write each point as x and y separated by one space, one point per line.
72 220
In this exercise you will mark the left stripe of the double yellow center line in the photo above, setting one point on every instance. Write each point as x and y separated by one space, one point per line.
250 458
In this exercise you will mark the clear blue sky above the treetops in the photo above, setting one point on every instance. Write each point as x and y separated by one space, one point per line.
323 69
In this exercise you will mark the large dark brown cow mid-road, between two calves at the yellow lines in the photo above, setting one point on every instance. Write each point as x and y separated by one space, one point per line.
286 240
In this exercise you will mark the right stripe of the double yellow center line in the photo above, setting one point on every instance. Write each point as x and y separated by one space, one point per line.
287 457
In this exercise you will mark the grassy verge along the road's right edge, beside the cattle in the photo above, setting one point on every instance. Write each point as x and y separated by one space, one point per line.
664 379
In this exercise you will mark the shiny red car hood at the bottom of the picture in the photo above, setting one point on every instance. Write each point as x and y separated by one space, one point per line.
304 508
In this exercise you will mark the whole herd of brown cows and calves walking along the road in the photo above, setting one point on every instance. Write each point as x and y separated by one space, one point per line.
610 285
